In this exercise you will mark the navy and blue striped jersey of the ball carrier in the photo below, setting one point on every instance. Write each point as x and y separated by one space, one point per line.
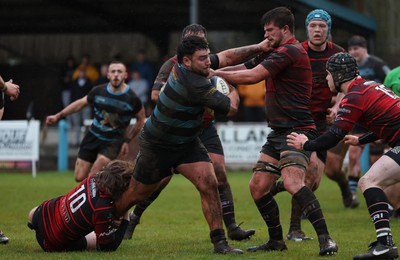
177 117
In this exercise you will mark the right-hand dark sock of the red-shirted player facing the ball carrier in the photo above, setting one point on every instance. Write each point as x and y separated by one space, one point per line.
310 205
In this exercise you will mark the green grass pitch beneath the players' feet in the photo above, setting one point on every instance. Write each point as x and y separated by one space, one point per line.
173 227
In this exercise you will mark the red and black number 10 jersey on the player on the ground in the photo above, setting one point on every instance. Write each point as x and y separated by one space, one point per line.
71 217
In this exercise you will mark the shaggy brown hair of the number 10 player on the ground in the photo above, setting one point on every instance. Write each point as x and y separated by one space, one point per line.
114 178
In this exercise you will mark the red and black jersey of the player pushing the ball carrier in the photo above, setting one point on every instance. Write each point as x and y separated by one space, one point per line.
288 90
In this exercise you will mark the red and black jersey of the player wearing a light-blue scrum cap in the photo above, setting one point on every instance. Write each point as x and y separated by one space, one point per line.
321 96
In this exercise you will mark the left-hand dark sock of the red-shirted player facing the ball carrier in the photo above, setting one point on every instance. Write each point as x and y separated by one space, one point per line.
269 211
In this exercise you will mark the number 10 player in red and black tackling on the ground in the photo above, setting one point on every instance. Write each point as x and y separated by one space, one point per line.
84 218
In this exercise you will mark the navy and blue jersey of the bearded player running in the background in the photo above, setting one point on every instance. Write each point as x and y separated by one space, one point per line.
113 111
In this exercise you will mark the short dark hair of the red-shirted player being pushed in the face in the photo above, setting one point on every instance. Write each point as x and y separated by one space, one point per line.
280 17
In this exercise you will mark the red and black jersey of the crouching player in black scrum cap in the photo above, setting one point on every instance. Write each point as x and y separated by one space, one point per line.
373 106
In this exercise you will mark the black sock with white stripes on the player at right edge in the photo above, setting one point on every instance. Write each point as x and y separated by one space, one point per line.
378 209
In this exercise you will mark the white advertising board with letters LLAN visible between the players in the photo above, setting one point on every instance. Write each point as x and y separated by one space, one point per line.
242 142
